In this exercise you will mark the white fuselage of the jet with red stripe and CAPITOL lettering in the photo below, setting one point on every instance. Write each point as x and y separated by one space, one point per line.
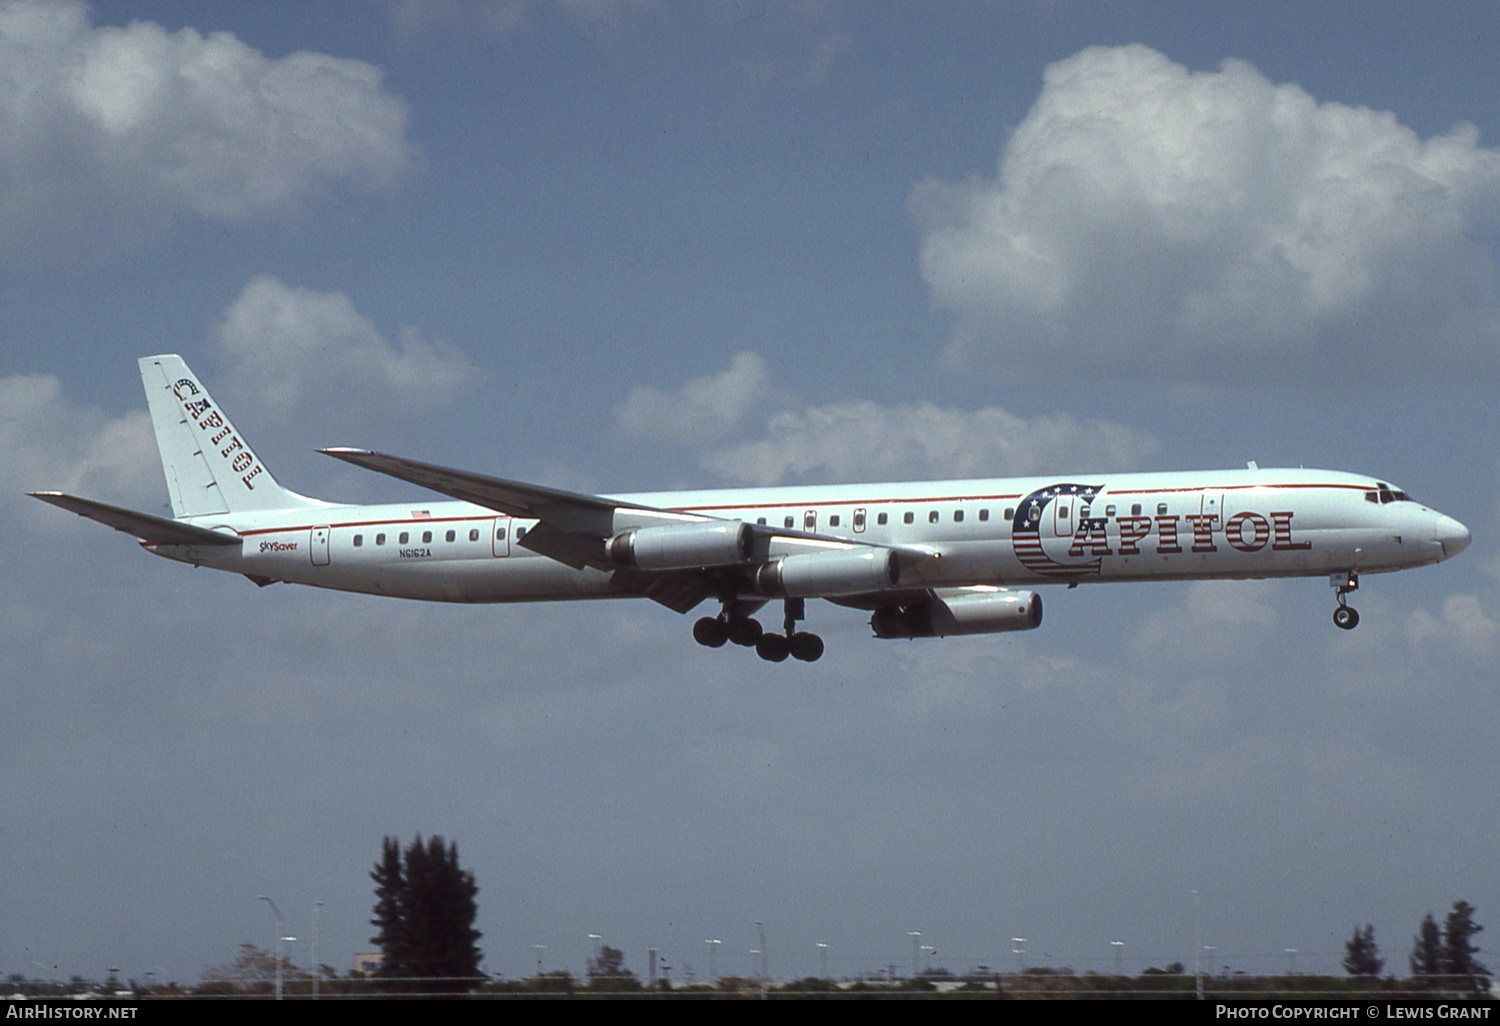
1003 532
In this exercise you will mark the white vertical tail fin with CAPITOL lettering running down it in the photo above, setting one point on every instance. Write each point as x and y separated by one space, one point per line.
208 464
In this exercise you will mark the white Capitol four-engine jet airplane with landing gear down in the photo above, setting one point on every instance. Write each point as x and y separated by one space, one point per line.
923 559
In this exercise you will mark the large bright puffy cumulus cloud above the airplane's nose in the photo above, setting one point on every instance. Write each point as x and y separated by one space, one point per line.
1186 226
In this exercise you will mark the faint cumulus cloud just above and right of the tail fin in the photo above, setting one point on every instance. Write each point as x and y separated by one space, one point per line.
292 349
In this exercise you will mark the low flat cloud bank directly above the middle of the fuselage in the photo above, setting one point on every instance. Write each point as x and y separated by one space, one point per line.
863 440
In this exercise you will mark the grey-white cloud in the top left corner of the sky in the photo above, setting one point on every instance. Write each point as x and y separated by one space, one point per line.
109 133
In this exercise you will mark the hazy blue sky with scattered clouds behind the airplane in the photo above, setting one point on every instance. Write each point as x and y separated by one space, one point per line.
629 247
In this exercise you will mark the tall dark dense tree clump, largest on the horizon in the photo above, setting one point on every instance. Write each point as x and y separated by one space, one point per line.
425 914
